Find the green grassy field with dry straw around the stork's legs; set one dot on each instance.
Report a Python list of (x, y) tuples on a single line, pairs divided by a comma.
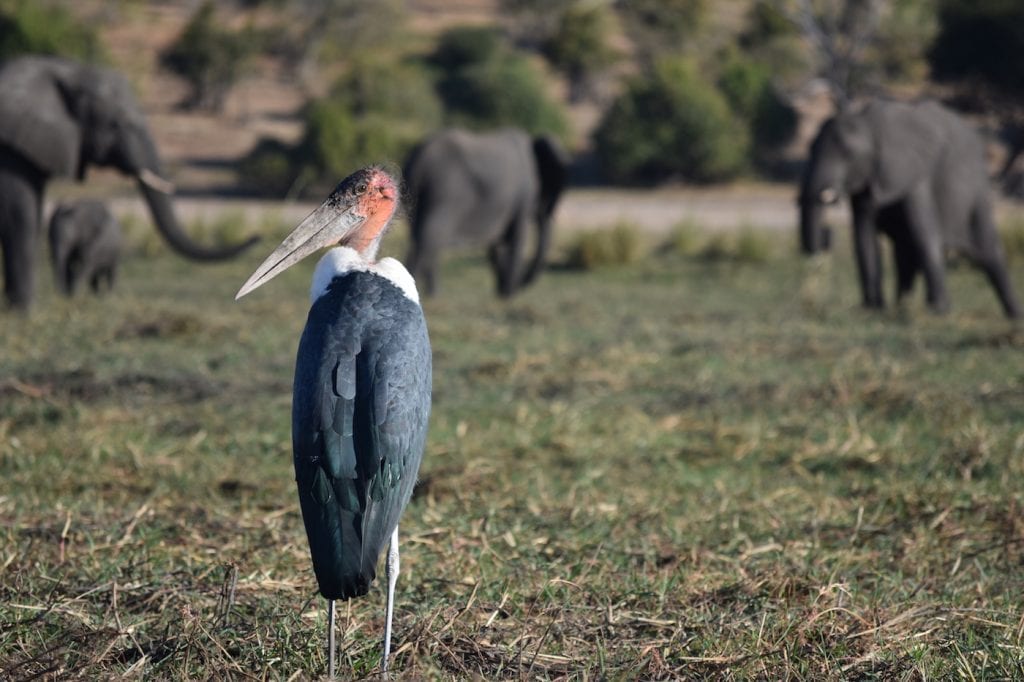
[(685, 468)]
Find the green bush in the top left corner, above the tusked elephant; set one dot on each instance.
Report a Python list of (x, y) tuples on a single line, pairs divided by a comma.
[(37, 27)]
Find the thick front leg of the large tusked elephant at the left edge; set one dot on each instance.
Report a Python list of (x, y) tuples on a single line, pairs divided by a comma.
[(20, 216)]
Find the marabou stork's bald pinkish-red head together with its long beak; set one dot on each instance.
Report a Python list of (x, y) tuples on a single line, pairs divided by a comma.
[(357, 215)]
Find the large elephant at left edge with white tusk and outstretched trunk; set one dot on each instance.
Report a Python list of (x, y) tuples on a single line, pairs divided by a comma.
[(58, 117)]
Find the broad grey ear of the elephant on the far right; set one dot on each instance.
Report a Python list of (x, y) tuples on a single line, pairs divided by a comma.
[(909, 141)]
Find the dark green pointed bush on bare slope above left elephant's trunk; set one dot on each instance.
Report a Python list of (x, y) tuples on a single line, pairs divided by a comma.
[(209, 57)]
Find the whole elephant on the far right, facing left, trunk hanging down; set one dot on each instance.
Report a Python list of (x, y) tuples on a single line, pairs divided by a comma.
[(917, 174)]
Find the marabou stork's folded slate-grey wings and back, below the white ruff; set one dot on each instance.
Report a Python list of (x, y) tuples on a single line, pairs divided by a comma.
[(359, 424)]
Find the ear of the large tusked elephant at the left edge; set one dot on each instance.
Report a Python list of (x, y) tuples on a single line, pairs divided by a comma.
[(35, 120)]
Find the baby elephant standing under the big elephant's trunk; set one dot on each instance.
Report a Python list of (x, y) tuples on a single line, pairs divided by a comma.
[(86, 244)]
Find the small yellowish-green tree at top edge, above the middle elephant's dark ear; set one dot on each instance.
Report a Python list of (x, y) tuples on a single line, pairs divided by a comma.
[(581, 47)]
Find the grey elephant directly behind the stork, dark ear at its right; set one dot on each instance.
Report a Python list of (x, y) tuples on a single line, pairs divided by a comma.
[(470, 189)]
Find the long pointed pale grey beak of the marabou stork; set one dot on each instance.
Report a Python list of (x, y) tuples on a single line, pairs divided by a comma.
[(328, 225)]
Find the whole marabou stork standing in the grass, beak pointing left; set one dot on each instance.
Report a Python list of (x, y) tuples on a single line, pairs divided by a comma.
[(362, 393)]
